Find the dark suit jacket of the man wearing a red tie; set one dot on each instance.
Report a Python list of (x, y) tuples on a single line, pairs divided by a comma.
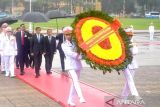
[(26, 45)]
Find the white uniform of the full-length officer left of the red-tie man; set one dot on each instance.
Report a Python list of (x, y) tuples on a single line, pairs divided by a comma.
[(9, 51)]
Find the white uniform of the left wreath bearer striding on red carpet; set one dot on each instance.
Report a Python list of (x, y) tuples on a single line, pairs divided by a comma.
[(73, 65)]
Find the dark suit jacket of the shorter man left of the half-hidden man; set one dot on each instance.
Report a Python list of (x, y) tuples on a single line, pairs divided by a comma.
[(49, 47)]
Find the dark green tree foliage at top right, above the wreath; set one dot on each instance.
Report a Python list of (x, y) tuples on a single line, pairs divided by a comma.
[(116, 6)]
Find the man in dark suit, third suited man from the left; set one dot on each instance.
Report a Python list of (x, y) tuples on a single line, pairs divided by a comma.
[(49, 50)]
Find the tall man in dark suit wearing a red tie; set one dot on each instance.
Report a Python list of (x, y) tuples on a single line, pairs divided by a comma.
[(22, 38)]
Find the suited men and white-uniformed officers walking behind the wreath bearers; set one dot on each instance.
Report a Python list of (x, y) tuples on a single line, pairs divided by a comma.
[(29, 49)]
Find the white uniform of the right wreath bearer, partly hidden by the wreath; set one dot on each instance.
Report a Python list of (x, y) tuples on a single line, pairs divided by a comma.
[(129, 75)]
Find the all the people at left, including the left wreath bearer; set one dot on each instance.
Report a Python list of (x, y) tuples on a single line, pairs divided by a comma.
[(27, 49)]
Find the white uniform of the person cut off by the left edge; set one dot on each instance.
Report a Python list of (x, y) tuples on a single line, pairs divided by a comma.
[(2, 36)]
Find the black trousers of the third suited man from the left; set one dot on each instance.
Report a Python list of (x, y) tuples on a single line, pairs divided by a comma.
[(48, 61)]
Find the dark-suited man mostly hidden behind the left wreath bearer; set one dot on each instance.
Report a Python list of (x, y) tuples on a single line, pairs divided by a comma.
[(60, 38)]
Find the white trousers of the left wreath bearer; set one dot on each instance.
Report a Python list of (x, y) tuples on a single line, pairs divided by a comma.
[(75, 86)]
